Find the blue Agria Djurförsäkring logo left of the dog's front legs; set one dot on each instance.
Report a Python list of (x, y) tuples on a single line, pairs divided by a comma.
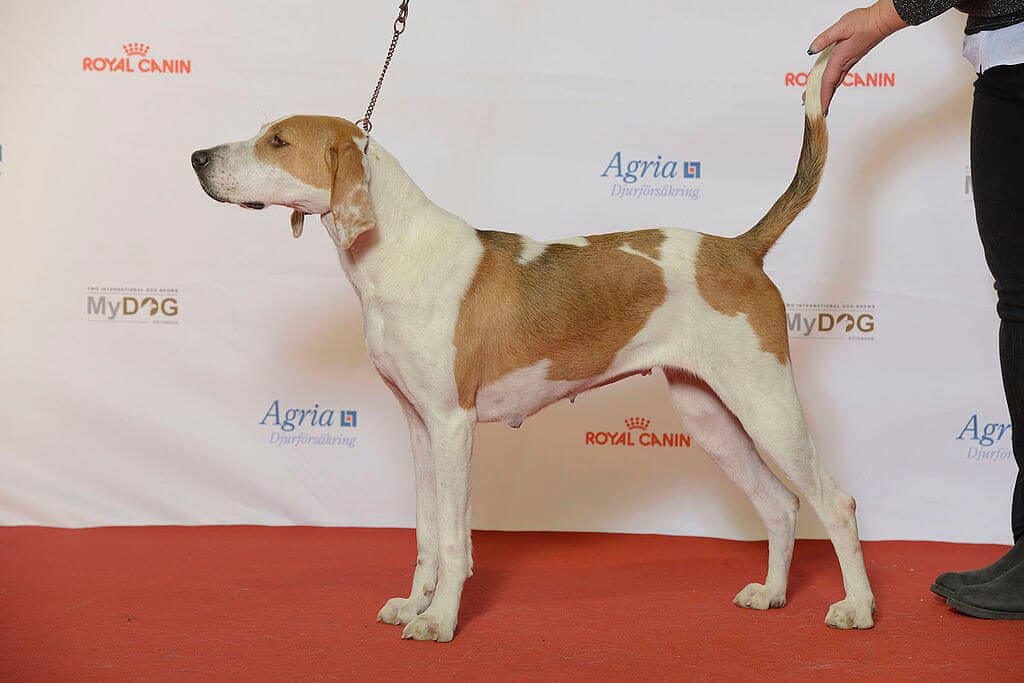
[(313, 425)]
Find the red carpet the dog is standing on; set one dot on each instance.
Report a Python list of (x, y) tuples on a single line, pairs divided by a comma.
[(286, 605)]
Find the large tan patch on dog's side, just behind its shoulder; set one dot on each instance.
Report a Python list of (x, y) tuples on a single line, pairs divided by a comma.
[(574, 306)]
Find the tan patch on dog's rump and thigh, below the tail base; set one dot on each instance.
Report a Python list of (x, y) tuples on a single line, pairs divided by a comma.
[(731, 279)]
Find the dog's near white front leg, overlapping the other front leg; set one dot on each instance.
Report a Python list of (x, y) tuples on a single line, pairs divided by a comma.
[(452, 447)]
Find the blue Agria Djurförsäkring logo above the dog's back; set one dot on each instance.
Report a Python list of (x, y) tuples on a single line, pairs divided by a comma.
[(653, 178)]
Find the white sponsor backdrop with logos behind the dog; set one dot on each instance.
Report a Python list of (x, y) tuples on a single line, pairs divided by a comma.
[(507, 114)]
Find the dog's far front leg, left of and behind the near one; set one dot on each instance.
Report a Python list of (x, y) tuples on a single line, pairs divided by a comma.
[(402, 611)]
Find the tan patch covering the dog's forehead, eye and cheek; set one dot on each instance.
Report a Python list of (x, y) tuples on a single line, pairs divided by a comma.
[(310, 140)]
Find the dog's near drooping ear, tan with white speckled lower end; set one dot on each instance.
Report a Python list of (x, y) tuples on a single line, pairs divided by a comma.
[(351, 205)]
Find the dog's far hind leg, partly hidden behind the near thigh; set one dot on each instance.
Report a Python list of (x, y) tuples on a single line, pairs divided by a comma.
[(720, 434)]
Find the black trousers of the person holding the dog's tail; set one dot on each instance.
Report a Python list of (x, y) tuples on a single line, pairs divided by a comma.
[(998, 176)]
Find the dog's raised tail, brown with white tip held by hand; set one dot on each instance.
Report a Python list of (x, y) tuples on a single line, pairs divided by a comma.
[(813, 161)]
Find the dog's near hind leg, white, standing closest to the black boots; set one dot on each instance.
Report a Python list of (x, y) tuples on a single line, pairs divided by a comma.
[(772, 414)]
